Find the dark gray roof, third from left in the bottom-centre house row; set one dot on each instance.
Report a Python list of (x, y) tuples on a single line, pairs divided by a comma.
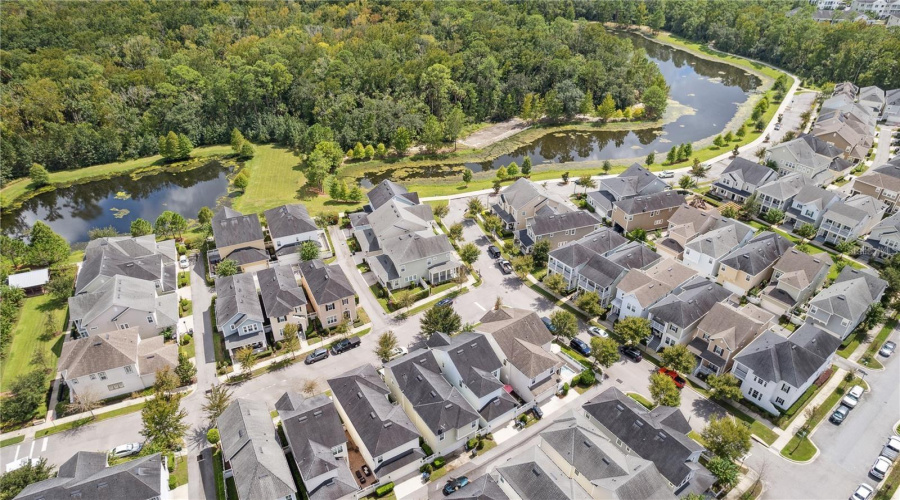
[(363, 396)]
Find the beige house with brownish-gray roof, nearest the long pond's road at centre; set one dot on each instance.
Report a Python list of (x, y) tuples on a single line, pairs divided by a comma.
[(523, 200)]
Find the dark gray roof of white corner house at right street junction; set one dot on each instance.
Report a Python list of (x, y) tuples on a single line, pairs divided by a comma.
[(794, 359)]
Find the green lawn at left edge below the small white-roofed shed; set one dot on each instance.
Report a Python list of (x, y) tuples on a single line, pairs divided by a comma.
[(28, 336)]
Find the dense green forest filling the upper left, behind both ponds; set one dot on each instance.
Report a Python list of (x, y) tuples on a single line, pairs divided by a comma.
[(93, 82)]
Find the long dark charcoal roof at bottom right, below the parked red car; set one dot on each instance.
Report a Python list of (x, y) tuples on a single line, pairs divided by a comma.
[(659, 436)]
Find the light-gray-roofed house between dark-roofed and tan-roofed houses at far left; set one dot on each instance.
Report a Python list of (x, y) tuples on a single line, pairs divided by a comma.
[(123, 302)]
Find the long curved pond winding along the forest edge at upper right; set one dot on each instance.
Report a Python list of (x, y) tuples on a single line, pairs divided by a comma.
[(712, 91)]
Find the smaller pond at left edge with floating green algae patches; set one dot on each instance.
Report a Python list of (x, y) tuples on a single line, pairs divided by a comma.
[(72, 211)]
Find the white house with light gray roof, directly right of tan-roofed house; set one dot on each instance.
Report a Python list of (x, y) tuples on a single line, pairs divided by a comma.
[(705, 251)]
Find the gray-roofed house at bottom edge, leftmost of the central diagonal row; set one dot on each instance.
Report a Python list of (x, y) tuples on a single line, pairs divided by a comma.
[(252, 454)]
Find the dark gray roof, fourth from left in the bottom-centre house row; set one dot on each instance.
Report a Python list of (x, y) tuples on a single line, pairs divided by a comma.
[(440, 405)]
